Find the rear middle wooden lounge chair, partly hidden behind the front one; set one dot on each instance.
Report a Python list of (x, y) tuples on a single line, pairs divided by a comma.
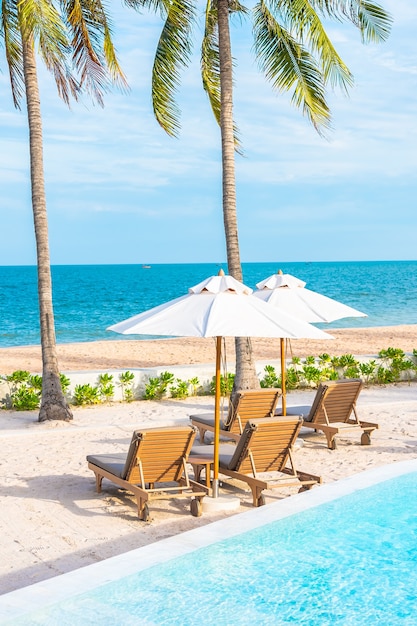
[(249, 404)]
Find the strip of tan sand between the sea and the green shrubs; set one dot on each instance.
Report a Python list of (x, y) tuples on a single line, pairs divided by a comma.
[(134, 354)]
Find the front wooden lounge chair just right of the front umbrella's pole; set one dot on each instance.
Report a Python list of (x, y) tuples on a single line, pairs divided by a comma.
[(265, 446)]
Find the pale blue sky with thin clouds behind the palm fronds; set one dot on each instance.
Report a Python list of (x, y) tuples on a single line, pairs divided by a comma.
[(119, 190)]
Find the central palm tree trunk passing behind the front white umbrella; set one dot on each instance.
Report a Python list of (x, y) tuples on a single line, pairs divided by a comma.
[(246, 377)]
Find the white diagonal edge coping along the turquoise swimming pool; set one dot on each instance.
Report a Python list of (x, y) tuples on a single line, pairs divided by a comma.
[(20, 602)]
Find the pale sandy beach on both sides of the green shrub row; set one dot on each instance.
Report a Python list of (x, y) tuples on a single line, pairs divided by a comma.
[(52, 520)]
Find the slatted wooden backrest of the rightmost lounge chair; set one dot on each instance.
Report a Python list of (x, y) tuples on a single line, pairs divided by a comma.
[(336, 399)]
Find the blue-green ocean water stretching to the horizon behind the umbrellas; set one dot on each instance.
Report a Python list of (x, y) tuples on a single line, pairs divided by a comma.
[(89, 298)]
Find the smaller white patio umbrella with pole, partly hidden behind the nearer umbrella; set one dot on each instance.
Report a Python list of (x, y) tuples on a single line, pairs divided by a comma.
[(289, 294)]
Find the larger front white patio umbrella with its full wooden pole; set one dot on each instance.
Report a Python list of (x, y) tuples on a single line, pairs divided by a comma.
[(219, 306)]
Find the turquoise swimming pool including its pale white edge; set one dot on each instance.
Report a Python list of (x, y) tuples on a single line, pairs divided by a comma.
[(344, 553)]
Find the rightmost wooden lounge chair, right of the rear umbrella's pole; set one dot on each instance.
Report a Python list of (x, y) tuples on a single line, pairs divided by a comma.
[(332, 409)]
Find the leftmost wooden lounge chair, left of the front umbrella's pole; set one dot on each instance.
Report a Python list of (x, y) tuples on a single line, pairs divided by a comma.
[(156, 456)]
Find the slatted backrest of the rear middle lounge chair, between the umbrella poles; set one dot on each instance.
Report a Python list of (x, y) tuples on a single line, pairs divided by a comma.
[(251, 404)]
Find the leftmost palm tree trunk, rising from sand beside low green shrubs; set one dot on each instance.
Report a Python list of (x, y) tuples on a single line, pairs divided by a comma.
[(53, 403)]
